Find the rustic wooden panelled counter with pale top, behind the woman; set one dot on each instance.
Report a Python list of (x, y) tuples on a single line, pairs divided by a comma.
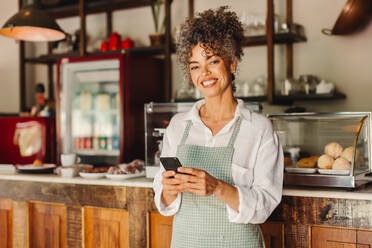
[(79, 212)]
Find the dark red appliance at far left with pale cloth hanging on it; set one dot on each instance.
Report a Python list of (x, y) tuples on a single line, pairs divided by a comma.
[(25, 139)]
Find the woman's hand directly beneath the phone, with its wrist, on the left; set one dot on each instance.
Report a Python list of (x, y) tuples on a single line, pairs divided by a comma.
[(171, 187)]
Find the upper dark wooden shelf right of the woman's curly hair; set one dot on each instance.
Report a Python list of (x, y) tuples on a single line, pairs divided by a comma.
[(280, 38)]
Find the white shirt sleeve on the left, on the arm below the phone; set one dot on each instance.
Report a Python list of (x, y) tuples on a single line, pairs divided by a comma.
[(168, 150)]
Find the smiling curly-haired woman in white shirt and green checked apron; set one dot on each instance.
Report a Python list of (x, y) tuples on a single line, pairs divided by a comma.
[(232, 162)]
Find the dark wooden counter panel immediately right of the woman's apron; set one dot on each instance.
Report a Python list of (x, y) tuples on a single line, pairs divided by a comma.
[(273, 234)]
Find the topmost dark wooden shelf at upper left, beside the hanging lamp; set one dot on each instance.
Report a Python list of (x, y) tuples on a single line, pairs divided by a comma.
[(94, 6)]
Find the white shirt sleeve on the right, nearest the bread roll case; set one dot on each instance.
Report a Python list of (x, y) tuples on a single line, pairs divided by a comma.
[(258, 201)]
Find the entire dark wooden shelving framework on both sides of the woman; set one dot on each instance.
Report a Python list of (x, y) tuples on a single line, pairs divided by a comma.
[(85, 7)]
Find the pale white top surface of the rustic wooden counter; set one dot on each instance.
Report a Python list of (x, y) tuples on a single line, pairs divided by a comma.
[(362, 193)]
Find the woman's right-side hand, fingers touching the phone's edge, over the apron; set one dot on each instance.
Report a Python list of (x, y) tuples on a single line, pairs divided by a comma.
[(197, 181)]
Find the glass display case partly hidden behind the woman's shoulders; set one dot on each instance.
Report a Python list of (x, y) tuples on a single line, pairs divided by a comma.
[(157, 117)]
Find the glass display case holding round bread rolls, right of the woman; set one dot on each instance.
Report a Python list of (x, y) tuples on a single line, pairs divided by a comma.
[(325, 149)]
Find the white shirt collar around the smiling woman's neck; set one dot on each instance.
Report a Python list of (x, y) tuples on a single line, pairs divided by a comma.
[(240, 111)]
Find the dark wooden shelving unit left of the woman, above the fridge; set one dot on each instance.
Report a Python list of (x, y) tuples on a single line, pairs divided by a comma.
[(81, 9)]
